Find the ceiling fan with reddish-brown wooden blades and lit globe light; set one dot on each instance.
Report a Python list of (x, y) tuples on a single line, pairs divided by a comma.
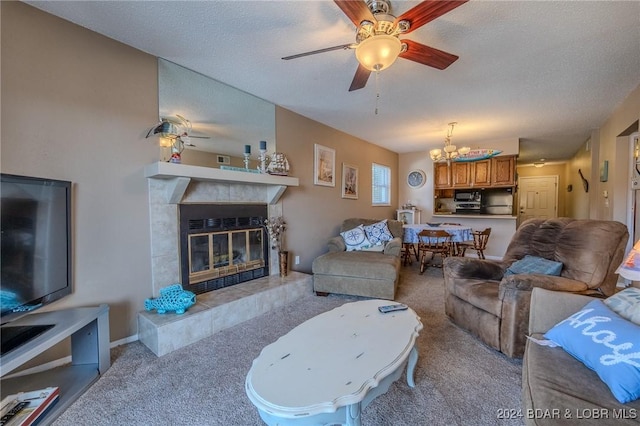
[(377, 36)]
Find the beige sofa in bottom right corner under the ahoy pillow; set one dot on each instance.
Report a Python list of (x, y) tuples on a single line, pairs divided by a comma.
[(556, 385)]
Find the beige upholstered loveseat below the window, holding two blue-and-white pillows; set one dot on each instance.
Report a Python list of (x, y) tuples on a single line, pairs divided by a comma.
[(359, 273)]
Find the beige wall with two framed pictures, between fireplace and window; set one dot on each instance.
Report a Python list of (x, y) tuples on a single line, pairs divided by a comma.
[(314, 213)]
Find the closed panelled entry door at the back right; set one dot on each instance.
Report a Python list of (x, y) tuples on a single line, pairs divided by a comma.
[(537, 197)]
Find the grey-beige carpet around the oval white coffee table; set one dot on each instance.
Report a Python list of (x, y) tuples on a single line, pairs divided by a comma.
[(459, 381)]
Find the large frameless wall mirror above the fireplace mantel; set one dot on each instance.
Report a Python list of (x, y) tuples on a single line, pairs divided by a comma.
[(229, 117)]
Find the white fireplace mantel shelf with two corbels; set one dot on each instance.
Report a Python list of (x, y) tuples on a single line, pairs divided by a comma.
[(181, 174)]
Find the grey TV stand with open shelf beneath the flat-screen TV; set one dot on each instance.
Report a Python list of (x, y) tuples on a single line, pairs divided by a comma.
[(88, 329)]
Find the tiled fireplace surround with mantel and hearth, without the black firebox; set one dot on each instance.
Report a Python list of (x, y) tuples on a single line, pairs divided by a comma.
[(171, 184)]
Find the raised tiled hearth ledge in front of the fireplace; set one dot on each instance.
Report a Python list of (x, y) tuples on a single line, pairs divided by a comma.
[(218, 310)]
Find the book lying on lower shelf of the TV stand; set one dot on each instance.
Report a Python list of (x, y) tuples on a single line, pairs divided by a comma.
[(27, 408)]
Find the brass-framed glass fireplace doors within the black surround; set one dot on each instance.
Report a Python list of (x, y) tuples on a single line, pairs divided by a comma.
[(218, 254)]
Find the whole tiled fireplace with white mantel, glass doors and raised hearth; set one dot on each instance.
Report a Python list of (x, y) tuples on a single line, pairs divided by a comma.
[(225, 239)]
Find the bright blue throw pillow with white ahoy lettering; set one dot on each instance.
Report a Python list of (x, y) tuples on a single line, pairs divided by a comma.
[(606, 343)]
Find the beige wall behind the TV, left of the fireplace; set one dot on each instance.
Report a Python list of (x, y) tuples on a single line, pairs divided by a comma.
[(75, 106)]
